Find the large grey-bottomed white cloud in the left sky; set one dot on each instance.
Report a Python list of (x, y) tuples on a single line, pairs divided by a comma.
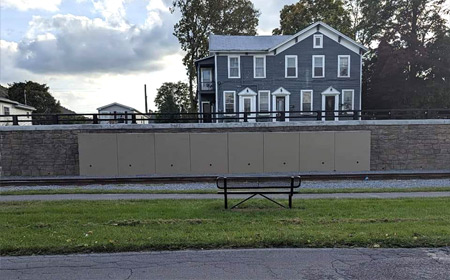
[(73, 44)]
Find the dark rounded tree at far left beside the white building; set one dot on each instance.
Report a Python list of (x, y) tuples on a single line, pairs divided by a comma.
[(37, 95)]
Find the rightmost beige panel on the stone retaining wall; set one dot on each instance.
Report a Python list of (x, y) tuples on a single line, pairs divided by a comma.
[(352, 151)]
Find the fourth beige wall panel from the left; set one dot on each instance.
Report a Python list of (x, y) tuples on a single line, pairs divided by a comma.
[(209, 153)]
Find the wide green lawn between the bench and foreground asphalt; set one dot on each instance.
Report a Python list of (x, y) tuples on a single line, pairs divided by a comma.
[(111, 226)]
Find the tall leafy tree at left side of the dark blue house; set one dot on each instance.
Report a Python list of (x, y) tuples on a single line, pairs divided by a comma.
[(200, 18)]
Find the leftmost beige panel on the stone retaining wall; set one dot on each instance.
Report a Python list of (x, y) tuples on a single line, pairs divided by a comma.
[(98, 154)]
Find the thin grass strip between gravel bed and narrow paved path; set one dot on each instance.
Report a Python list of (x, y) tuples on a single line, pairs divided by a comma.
[(305, 191)]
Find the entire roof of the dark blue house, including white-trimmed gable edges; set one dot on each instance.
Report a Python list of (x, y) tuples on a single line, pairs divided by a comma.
[(267, 43)]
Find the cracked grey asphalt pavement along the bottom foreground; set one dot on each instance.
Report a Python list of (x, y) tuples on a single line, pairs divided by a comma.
[(237, 264)]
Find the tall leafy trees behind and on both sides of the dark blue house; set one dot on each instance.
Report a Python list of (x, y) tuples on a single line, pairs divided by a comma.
[(407, 66)]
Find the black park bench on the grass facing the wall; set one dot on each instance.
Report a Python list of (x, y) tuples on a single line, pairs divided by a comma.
[(262, 186)]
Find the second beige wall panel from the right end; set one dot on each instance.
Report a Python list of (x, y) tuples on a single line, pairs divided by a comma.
[(317, 151)]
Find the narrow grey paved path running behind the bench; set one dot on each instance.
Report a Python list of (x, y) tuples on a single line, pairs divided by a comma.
[(52, 197)]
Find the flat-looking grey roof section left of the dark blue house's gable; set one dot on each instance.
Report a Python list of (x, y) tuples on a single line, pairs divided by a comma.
[(244, 43)]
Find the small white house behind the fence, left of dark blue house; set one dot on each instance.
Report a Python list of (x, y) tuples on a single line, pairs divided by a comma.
[(119, 113)]
